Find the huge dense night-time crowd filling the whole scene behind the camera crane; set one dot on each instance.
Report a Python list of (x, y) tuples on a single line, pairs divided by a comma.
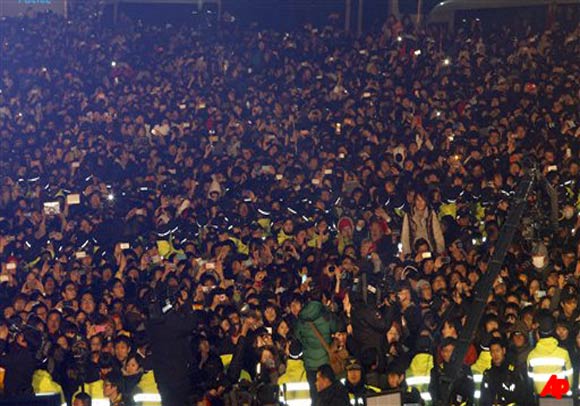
[(181, 210)]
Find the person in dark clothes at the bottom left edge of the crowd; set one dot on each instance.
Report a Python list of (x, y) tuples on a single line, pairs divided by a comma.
[(18, 359)]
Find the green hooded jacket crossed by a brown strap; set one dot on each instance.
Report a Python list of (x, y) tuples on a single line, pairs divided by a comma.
[(314, 353)]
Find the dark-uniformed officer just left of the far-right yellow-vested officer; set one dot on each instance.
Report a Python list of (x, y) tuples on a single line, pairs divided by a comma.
[(502, 384)]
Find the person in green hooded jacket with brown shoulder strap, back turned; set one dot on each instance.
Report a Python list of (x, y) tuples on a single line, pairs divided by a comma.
[(315, 323)]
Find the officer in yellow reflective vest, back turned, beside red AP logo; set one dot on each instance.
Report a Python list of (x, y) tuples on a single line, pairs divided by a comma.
[(547, 358)]
